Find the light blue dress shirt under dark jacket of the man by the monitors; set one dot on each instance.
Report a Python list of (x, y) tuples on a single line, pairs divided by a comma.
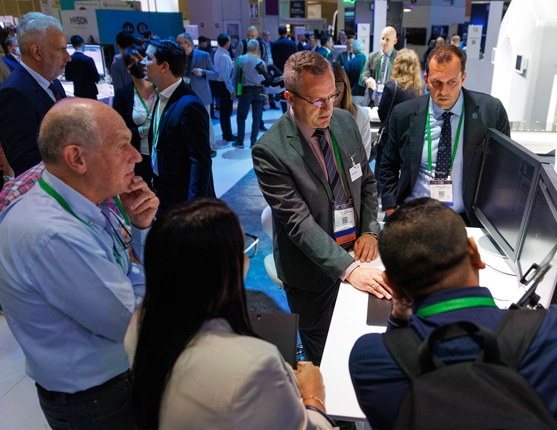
[(421, 188)]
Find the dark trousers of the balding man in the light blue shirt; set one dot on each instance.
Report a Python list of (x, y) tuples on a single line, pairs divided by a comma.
[(107, 406)]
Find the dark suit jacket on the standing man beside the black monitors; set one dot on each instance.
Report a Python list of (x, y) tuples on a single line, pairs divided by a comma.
[(403, 152)]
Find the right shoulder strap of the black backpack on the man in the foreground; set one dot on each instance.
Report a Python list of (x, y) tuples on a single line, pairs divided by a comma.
[(516, 332)]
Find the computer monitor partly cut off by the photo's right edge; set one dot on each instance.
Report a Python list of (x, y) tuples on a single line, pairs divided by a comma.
[(540, 233)]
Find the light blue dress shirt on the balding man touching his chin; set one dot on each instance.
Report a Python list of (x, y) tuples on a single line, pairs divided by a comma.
[(66, 298)]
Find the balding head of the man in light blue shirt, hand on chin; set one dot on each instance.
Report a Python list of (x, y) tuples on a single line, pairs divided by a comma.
[(87, 145)]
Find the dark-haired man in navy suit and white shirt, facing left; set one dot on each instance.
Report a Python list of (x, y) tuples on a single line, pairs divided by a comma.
[(179, 133)]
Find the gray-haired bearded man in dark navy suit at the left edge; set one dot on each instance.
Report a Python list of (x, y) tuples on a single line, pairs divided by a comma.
[(32, 88)]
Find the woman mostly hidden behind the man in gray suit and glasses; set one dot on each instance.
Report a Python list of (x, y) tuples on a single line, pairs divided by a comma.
[(362, 115)]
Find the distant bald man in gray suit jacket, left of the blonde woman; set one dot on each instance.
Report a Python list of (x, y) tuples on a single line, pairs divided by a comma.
[(379, 66)]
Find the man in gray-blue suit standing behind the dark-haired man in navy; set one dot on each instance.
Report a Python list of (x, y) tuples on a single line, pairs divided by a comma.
[(199, 70)]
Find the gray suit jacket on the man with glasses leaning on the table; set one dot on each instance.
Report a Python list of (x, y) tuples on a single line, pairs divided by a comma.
[(296, 189)]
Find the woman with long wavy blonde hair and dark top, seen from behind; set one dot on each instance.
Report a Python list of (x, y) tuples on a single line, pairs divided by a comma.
[(407, 79)]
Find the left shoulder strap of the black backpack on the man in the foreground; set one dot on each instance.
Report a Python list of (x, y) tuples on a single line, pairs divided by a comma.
[(403, 344)]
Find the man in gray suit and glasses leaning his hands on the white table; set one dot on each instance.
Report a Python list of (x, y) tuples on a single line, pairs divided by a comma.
[(310, 254)]
